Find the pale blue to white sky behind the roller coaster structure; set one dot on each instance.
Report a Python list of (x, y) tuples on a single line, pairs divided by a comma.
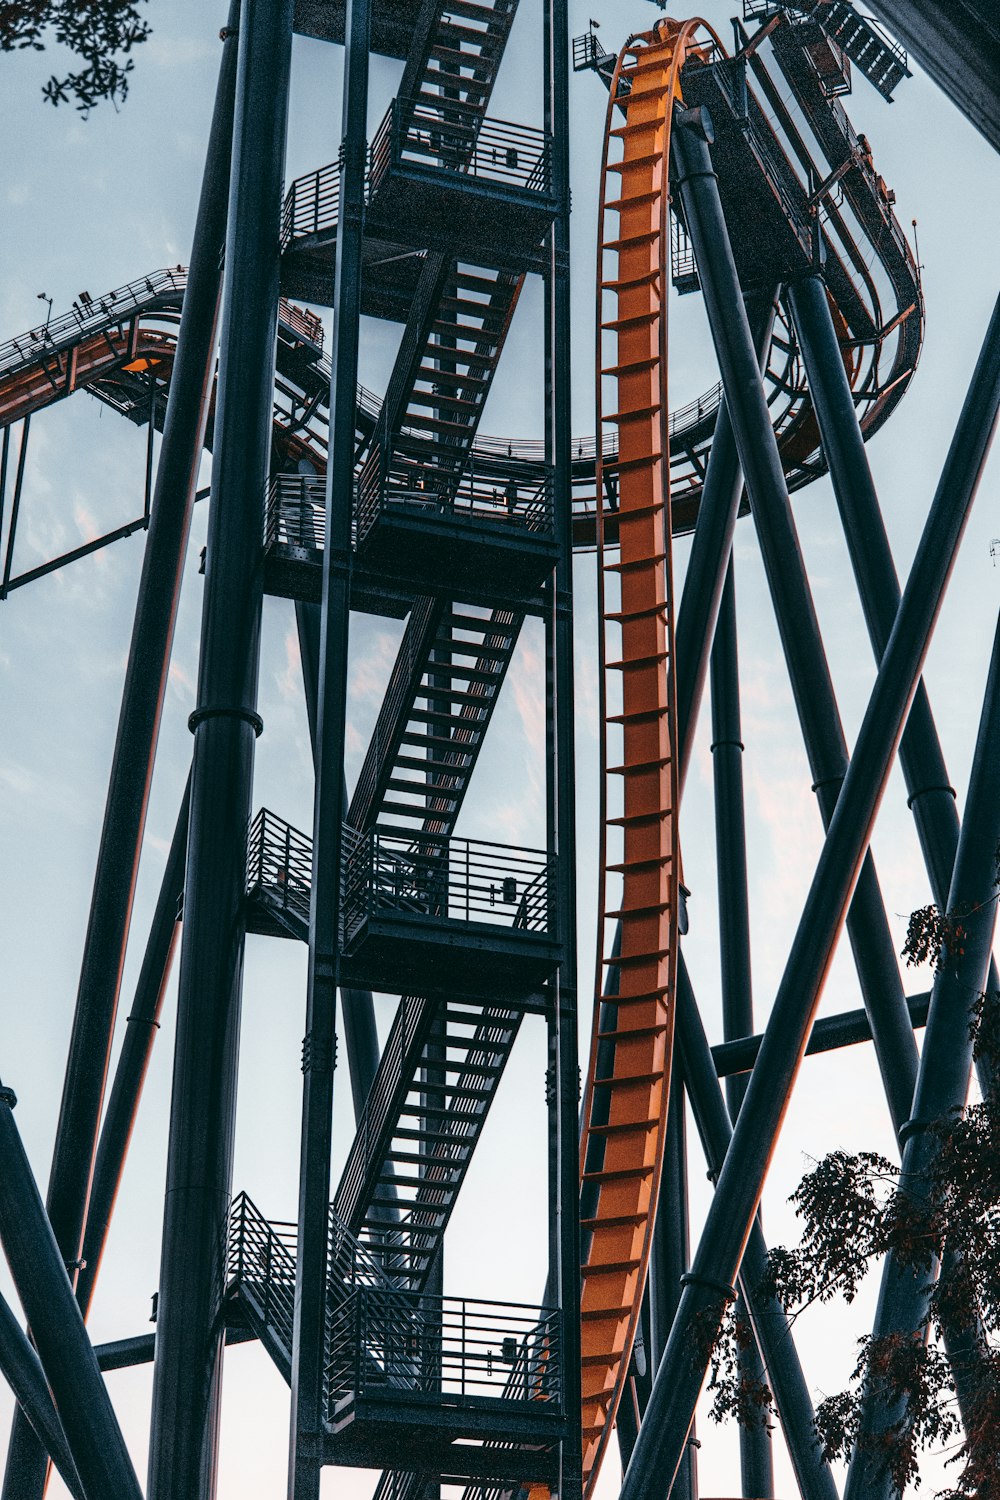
[(95, 203)]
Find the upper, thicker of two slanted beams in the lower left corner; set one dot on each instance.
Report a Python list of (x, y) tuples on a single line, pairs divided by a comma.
[(47, 1297)]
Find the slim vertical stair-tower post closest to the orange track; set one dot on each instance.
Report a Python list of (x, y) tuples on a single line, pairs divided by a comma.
[(563, 776)]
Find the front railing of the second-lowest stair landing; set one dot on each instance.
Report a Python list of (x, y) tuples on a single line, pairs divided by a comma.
[(463, 880)]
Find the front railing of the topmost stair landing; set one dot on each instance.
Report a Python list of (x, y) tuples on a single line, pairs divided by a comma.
[(454, 137)]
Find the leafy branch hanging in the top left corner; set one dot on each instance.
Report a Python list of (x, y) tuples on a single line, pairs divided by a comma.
[(100, 32)]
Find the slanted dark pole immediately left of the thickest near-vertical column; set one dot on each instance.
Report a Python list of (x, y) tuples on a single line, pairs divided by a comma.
[(139, 727)]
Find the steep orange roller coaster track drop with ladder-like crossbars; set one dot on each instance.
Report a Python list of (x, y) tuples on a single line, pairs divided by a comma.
[(626, 1114)]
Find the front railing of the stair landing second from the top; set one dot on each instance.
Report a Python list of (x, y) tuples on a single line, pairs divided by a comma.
[(524, 503)]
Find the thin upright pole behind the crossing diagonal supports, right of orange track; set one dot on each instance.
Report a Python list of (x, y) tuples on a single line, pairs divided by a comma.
[(738, 1013)]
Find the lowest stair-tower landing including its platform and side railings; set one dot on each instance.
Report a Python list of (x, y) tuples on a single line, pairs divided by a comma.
[(448, 1385)]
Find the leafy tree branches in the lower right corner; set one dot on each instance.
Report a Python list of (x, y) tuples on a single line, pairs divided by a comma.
[(944, 1228)]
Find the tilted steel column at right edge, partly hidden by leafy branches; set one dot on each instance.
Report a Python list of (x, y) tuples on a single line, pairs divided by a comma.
[(942, 1084)]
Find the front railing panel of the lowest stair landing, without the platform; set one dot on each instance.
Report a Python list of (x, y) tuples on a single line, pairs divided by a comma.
[(394, 1342)]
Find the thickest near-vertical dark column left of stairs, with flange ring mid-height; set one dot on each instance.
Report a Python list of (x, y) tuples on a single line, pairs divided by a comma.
[(188, 1370)]
